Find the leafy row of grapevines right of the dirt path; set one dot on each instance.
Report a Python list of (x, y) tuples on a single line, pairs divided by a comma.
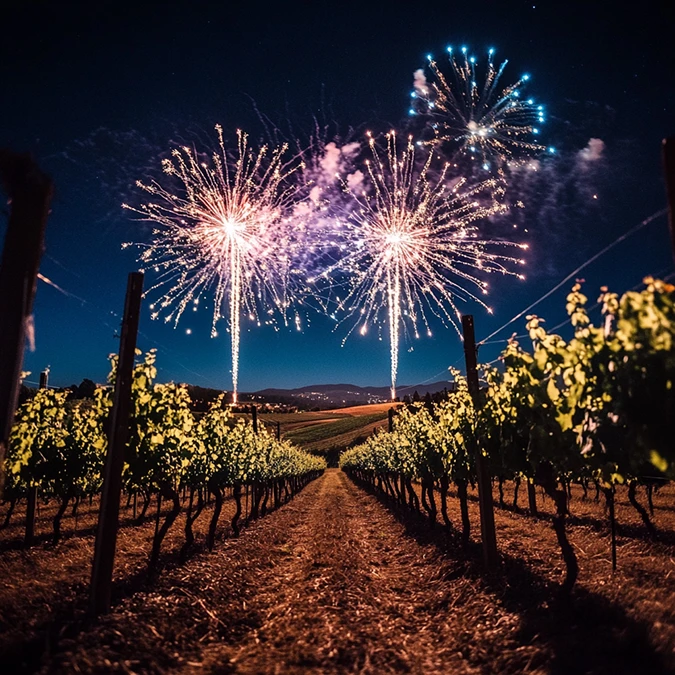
[(598, 408)]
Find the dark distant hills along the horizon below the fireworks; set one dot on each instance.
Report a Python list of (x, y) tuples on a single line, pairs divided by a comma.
[(339, 395)]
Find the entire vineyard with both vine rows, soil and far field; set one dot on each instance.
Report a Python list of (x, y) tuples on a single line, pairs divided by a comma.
[(577, 436)]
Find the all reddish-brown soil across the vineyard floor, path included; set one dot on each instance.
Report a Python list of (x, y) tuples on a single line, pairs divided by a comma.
[(339, 581)]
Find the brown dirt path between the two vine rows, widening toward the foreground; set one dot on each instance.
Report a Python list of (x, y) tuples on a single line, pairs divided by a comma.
[(333, 582)]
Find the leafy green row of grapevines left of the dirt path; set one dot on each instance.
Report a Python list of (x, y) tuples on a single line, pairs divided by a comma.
[(57, 450)]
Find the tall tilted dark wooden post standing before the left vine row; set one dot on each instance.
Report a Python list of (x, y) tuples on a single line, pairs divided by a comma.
[(118, 433)]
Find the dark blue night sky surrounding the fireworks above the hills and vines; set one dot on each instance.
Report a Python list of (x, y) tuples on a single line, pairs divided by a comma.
[(98, 92)]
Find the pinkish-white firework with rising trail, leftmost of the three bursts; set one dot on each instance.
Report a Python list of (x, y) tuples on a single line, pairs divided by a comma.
[(226, 232)]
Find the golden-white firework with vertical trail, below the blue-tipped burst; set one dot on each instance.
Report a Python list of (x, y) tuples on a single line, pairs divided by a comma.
[(409, 246)]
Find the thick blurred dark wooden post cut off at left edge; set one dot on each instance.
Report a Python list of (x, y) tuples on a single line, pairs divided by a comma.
[(30, 192)]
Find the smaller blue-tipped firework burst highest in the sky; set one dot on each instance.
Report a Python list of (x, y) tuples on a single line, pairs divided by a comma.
[(486, 123)]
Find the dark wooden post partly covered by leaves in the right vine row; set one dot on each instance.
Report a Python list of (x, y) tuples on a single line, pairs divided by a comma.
[(487, 516)]
